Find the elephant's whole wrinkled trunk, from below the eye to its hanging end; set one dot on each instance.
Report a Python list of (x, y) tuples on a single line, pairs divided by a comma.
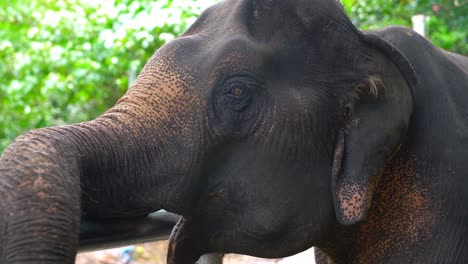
[(118, 165)]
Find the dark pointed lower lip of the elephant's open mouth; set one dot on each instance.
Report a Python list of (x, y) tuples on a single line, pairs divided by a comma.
[(185, 245)]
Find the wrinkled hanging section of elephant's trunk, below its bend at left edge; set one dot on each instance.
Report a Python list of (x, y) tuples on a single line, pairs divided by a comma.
[(39, 199)]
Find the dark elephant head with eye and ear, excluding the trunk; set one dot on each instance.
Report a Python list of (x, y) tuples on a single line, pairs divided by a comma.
[(306, 110)]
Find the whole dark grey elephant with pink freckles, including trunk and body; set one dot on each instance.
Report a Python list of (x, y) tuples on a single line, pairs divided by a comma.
[(270, 126)]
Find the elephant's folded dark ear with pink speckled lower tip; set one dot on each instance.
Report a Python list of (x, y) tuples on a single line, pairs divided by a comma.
[(376, 121)]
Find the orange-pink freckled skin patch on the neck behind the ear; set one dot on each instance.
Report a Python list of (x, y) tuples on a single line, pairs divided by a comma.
[(402, 212)]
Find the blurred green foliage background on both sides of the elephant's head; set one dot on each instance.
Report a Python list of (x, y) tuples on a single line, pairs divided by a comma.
[(65, 61)]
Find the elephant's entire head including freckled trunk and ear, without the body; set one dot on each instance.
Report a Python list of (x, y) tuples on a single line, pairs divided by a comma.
[(262, 125)]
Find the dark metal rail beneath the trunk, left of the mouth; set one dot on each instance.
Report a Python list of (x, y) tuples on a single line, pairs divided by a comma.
[(104, 234)]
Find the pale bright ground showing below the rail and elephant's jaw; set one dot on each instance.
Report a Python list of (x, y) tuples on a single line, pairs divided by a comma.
[(155, 253)]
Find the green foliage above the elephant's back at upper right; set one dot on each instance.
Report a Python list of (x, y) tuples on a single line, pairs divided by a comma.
[(447, 19)]
